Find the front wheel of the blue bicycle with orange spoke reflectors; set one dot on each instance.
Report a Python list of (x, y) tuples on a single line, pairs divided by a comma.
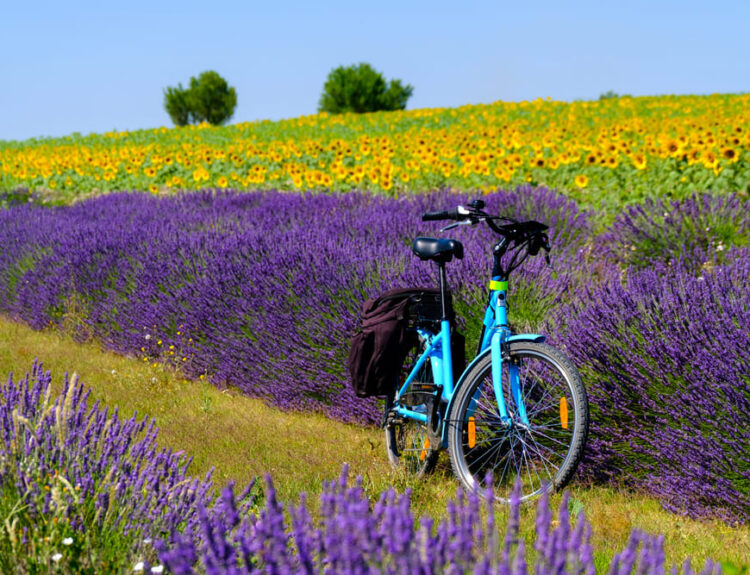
[(542, 451)]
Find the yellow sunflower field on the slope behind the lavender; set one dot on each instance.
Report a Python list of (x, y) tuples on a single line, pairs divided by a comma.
[(617, 150)]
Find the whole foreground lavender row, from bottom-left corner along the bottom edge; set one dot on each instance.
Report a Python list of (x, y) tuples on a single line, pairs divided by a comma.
[(86, 492)]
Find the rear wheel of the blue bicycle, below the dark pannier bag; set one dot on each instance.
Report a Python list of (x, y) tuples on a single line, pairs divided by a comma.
[(407, 441)]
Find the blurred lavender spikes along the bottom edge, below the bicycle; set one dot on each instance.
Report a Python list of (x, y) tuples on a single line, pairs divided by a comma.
[(353, 537)]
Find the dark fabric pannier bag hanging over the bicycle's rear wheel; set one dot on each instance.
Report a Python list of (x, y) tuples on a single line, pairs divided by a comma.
[(388, 333)]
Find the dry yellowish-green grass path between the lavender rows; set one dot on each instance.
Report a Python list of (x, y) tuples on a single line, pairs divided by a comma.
[(241, 438)]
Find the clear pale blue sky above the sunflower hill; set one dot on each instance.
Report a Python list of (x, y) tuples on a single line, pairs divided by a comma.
[(96, 66)]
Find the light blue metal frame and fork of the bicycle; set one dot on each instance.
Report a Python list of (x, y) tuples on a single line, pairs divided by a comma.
[(495, 335)]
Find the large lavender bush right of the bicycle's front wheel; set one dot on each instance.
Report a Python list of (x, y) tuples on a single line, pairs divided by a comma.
[(665, 358)]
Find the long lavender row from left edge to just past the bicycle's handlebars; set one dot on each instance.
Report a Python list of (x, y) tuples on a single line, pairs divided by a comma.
[(260, 291)]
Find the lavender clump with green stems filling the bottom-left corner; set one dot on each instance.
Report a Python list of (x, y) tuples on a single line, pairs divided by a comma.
[(83, 489)]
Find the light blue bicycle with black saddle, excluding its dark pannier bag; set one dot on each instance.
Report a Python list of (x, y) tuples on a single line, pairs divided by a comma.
[(518, 410)]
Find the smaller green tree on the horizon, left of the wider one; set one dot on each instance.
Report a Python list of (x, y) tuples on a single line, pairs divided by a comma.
[(208, 99)]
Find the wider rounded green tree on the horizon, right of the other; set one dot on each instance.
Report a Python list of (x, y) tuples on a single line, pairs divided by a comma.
[(359, 88)]
